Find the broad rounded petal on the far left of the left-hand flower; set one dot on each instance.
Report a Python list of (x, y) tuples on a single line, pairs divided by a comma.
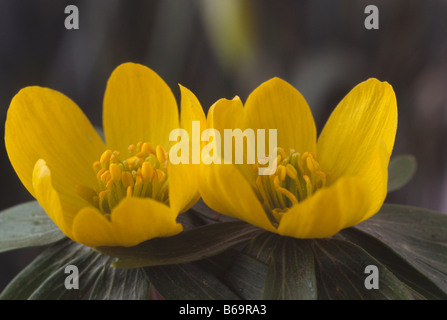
[(45, 124)]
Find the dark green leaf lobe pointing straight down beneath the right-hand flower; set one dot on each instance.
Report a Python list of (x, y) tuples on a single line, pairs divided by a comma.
[(291, 273)]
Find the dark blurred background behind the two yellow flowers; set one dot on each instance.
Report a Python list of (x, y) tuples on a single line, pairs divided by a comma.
[(223, 48)]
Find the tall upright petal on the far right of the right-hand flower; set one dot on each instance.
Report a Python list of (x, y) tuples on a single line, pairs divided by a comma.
[(365, 116)]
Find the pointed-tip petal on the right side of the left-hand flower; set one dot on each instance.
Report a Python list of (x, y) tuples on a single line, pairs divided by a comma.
[(183, 178)]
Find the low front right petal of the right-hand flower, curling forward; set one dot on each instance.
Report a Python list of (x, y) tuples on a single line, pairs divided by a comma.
[(328, 211)]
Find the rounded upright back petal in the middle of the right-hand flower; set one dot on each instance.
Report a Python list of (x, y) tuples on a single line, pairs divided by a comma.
[(276, 104)]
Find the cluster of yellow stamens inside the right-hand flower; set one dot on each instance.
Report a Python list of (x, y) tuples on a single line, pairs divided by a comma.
[(296, 178)]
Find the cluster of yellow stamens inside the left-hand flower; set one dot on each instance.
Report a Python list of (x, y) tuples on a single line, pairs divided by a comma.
[(144, 174)]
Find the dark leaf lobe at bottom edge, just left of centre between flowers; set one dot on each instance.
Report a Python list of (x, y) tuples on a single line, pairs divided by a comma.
[(188, 282)]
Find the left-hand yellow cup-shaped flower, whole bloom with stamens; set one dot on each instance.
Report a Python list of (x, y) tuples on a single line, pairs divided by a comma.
[(117, 193)]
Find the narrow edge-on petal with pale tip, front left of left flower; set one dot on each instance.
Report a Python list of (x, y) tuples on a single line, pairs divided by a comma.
[(61, 213)]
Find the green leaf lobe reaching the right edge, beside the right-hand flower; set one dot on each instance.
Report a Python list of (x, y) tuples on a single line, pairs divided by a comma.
[(417, 235)]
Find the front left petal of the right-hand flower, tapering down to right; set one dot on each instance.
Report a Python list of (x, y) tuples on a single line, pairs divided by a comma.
[(224, 189)]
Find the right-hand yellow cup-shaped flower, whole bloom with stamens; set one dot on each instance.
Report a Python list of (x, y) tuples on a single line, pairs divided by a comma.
[(319, 187)]
